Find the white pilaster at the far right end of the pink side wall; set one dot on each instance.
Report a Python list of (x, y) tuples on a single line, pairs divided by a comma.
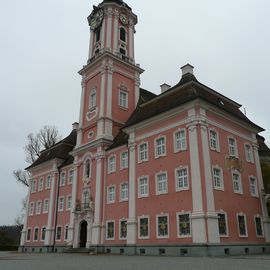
[(266, 220)]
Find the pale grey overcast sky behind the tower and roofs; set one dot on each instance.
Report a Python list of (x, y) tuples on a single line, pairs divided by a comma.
[(44, 43)]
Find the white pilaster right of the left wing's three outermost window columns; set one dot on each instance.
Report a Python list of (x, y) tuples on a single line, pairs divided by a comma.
[(52, 205)]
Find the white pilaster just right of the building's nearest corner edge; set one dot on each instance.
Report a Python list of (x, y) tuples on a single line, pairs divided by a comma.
[(211, 215)]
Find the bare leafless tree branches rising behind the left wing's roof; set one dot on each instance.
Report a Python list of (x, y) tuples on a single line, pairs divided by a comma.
[(44, 139)]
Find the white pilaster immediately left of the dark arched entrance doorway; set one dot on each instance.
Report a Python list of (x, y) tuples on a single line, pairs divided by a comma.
[(73, 204)]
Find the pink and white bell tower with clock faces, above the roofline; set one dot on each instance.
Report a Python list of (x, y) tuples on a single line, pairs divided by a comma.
[(110, 79)]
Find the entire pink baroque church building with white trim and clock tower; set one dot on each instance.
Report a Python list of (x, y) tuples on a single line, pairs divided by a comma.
[(176, 173)]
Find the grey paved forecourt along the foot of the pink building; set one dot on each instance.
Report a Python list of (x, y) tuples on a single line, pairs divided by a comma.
[(14, 261)]
